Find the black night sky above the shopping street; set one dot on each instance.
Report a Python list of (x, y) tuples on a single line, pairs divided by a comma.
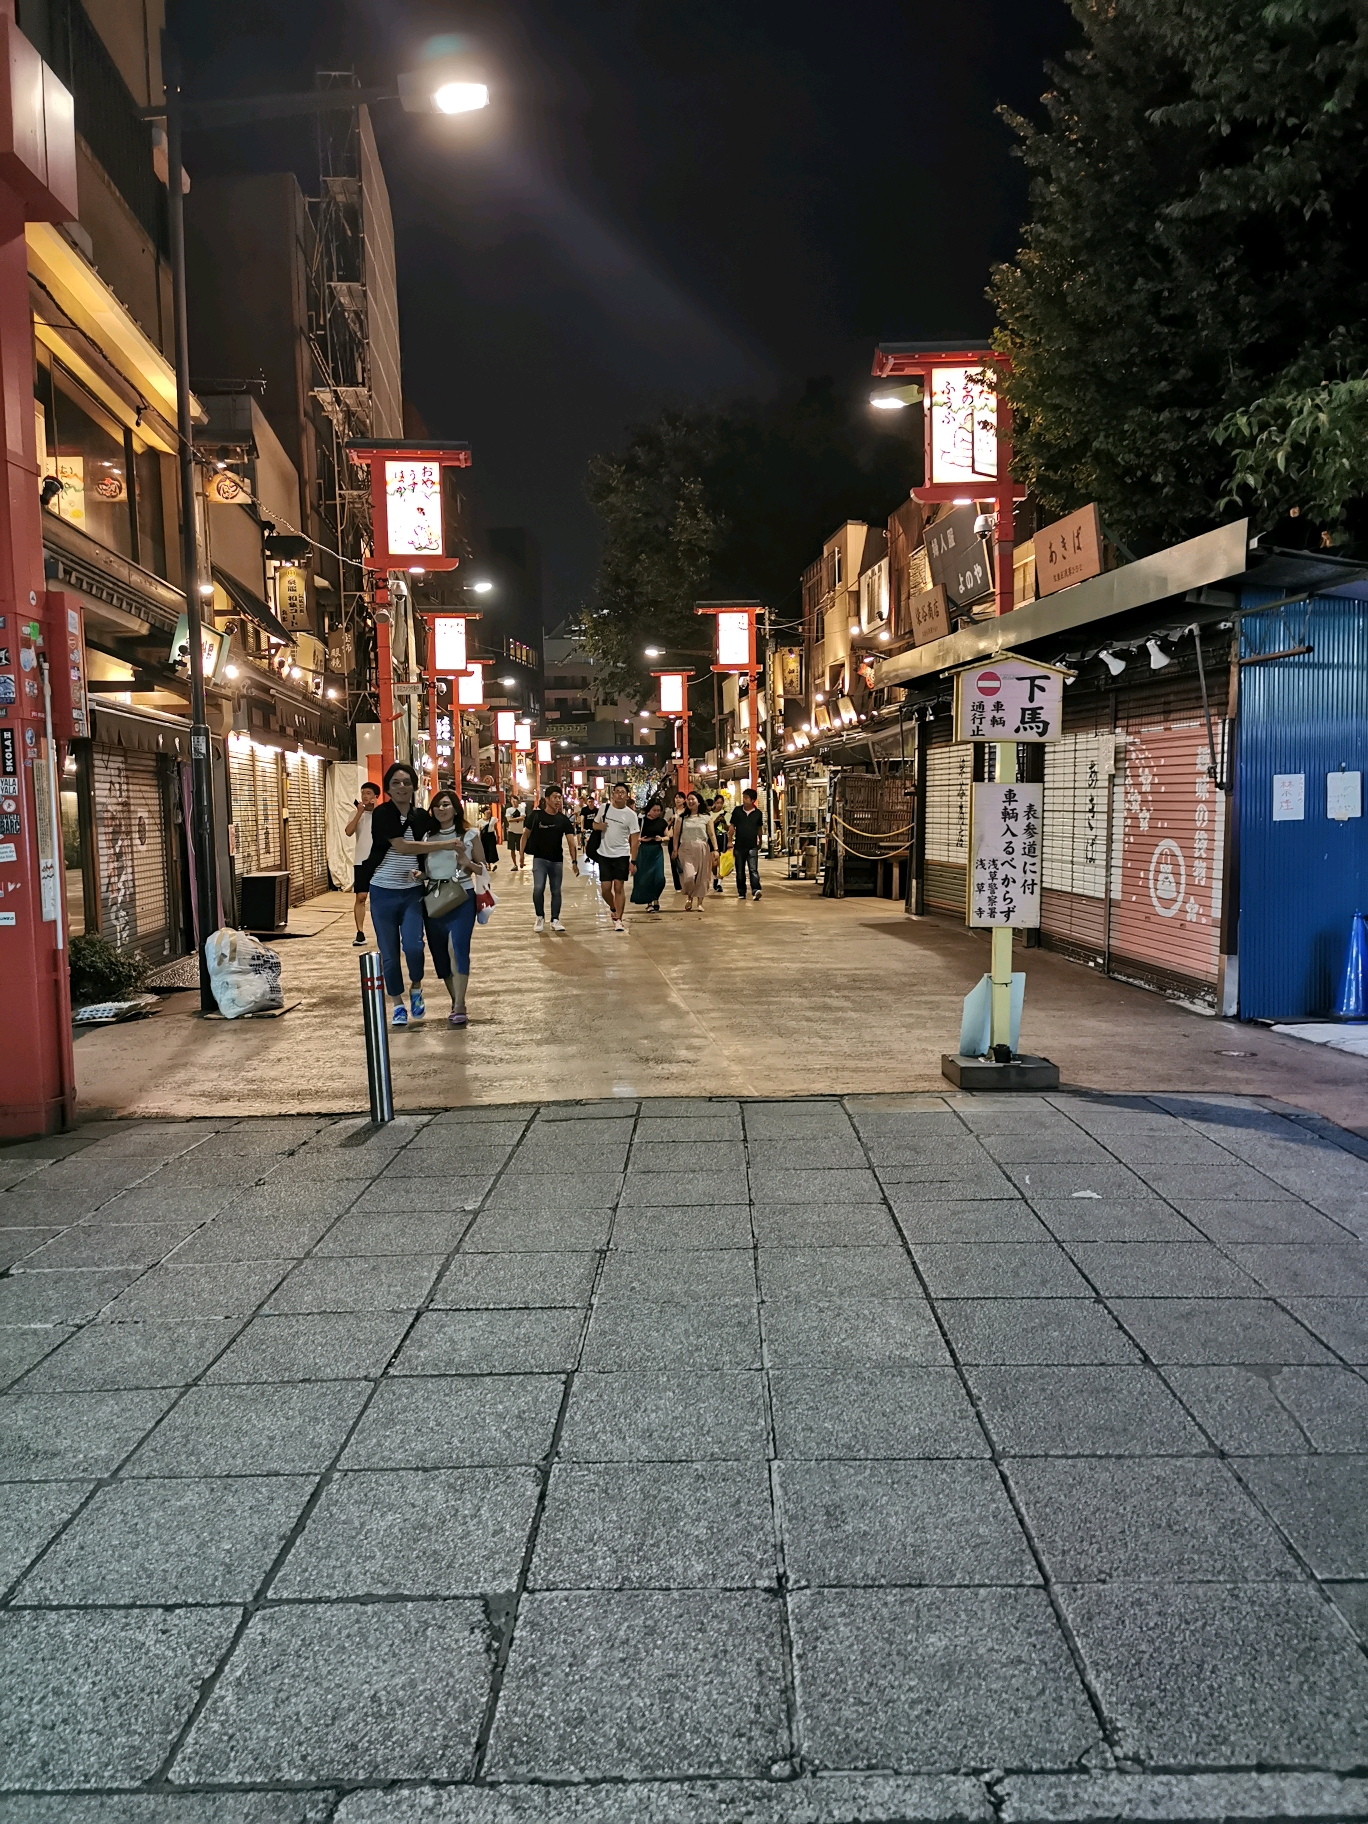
[(672, 202)]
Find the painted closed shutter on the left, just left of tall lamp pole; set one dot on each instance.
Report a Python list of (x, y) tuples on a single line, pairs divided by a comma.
[(134, 851)]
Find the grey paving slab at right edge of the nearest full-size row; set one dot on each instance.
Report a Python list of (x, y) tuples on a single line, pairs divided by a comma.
[(1281, 1681)]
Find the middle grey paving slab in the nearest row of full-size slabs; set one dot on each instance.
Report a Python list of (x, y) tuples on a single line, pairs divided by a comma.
[(634, 1684)]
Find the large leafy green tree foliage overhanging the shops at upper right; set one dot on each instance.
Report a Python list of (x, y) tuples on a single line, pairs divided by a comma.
[(1196, 260)]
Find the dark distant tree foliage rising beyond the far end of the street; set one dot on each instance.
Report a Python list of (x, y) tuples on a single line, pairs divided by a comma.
[(732, 503)]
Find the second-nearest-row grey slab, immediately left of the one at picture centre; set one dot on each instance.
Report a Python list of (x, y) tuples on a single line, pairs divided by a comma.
[(413, 1533)]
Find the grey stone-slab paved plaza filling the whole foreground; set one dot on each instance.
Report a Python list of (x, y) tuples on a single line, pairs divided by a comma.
[(689, 1462)]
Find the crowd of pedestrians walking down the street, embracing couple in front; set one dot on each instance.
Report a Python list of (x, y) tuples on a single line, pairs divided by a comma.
[(426, 875)]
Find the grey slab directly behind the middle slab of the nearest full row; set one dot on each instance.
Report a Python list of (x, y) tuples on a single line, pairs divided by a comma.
[(658, 1526)]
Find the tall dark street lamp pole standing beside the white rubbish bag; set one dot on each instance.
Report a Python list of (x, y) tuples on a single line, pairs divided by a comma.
[(202, 762)]
